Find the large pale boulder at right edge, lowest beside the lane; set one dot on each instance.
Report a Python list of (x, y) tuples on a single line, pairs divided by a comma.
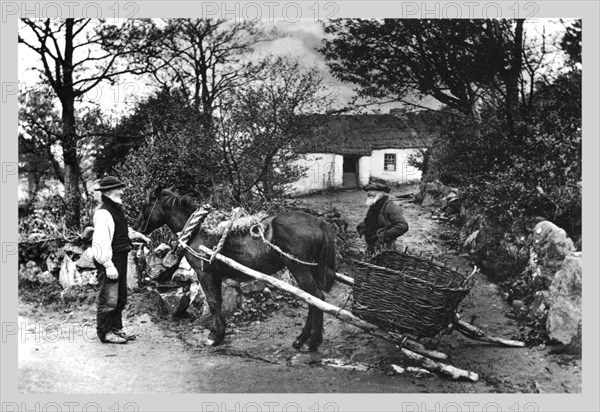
[(564, 316)]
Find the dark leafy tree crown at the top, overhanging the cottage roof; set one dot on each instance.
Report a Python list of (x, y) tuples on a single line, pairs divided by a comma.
[(454, 61)]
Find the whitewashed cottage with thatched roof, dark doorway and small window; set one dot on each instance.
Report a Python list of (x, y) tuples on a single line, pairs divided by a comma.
[(346, 151)]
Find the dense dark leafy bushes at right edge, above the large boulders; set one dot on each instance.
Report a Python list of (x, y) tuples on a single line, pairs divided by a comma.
[(535, 173)]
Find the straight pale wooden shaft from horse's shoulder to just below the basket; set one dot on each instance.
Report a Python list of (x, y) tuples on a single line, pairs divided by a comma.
[(333, 310)]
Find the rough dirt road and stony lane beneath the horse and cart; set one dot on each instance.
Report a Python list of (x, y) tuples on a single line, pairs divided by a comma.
[(58, 352)]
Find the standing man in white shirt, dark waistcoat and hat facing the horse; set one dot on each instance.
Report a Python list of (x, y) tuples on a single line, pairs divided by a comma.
[(111, 243)]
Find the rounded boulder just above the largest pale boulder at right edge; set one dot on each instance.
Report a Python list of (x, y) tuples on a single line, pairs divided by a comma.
[(550, 246)]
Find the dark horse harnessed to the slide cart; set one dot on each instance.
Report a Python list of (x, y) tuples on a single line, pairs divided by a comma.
[(304, 237)]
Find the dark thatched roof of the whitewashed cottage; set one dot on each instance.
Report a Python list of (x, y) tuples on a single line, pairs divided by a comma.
[(361, 134)]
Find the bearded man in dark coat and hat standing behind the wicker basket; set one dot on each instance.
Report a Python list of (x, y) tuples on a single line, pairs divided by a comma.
[(384, 222)]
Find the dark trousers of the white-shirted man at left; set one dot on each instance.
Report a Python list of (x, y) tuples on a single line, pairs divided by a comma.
[(113, 296)]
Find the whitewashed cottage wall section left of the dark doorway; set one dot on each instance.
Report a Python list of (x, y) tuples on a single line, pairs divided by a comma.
[(324, 170)]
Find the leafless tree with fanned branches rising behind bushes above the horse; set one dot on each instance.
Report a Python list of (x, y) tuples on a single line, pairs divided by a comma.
[(205, 59)]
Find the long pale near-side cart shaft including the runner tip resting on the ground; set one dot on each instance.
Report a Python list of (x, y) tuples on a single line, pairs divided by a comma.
[(345, 316)]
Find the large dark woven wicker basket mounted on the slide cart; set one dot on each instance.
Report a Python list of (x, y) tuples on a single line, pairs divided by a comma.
[(408, 294)]
